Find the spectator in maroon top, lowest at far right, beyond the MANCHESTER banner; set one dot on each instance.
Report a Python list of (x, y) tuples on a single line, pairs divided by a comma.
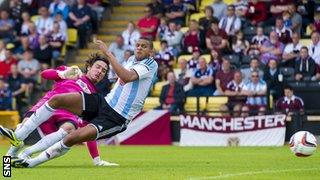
[(290, 103)]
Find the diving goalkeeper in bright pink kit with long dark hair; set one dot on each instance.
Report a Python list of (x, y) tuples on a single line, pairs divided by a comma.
[(67, 80)]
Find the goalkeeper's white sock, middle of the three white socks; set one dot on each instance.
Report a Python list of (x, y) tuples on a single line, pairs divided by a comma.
[(44, 143)]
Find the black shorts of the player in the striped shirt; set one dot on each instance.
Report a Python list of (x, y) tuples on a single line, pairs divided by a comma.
[(101, 116)]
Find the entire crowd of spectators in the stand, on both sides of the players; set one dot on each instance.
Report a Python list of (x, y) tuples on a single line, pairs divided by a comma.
[(242, 50)]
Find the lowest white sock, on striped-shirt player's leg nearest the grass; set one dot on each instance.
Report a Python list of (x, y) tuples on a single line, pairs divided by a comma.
[(57, 150)]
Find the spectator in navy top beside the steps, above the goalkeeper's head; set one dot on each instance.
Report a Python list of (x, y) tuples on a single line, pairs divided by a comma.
[(79, 17)]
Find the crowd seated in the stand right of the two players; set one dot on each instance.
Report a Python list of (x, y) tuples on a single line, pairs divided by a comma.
[(254, 49)]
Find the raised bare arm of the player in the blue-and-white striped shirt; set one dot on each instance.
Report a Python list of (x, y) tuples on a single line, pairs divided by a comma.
[(124, 74)]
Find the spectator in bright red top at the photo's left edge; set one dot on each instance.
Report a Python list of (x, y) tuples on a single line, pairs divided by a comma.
[(7, 63)]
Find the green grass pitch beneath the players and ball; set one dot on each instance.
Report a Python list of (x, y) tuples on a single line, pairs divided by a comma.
[(171, 162)]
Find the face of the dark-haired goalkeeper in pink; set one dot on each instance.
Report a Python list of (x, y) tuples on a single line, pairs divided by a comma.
[(97, 71)]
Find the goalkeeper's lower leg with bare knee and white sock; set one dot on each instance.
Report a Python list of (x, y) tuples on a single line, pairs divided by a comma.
[(47, 141)]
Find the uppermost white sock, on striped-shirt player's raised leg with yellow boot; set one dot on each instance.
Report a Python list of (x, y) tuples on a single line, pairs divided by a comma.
[(38, 117)]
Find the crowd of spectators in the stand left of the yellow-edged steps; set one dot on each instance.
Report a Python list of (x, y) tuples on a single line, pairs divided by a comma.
[(32, 36)]
